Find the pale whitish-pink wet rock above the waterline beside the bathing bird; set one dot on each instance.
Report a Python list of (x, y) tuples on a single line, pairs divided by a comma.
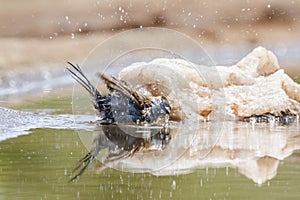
[(254, 86)]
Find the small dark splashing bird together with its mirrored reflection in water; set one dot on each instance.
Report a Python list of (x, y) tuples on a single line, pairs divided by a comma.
[(120, 107)]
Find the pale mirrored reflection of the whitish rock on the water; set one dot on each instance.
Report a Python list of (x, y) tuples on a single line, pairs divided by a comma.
[(254, 149)]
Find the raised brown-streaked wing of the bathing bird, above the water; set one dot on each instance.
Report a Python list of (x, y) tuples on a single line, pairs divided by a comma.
[(114, 84)]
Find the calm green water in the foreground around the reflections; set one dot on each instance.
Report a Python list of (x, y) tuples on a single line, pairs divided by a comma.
[(38, 166)]
